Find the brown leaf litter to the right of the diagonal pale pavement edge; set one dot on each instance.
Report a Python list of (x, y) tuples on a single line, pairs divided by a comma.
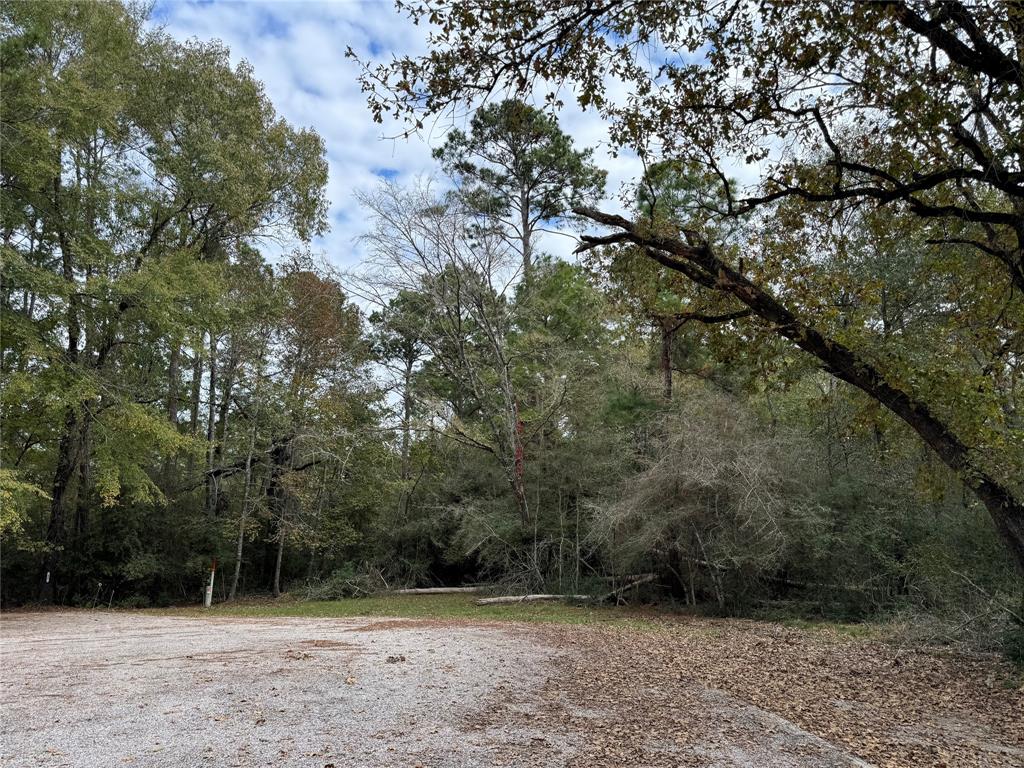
[(888, 706)]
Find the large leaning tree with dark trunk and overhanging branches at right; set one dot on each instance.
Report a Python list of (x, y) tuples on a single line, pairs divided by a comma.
[(911, 107)]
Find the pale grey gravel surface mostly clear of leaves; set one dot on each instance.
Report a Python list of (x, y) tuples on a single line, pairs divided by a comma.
[(109, 690)]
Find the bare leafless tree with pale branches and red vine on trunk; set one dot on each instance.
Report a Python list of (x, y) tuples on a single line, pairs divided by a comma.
[(428, 246)]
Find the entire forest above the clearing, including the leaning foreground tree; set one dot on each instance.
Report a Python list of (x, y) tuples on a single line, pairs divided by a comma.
[(799, 400)]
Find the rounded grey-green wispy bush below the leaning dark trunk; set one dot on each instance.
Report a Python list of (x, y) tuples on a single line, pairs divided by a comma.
[(711, 507)]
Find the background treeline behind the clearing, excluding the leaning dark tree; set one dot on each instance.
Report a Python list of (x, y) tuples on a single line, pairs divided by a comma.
[(462, 408)]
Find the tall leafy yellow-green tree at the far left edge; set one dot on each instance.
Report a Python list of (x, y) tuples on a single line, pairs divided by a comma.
[(135, 165)]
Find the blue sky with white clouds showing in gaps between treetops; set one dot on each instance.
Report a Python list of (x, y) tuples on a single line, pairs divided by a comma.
[(297, 51)]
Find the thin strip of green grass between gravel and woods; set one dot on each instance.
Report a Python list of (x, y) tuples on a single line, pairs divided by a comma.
[(431, 607)]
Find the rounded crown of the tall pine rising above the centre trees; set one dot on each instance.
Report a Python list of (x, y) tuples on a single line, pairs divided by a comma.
[(518, 168)]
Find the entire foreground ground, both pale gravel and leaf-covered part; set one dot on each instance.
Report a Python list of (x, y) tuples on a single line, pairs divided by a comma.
[(110, 690)]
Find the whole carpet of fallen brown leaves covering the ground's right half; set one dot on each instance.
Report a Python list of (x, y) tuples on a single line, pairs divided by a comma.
[(708, 693)]
